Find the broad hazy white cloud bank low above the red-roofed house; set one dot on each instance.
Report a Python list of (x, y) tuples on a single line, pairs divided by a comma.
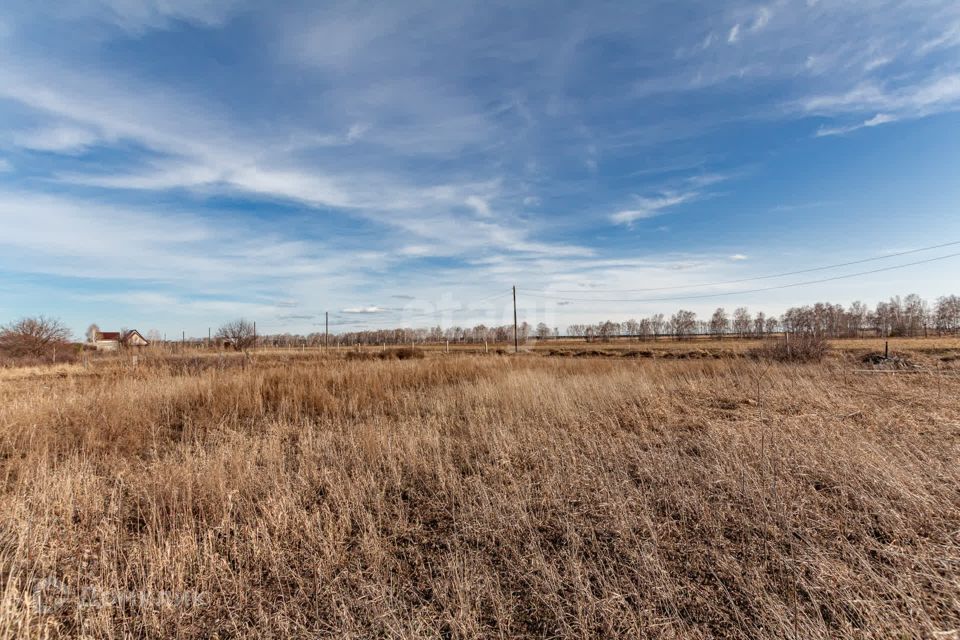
[(93, 239)]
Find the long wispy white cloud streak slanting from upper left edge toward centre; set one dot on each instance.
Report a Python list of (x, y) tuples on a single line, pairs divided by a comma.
[(197, 148)]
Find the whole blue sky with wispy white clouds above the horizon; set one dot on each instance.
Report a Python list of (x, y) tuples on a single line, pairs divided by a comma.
[(175, 164)]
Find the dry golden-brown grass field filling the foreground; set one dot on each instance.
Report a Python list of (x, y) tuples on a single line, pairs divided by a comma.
[(299, 494)]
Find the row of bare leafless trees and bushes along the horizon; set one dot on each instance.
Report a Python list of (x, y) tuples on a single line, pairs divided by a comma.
[(908, 316)]
